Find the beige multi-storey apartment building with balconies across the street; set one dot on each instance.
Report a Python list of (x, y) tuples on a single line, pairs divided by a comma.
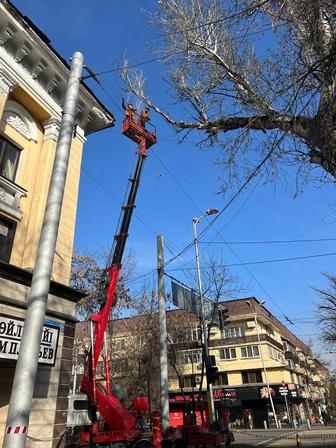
[(245, 353)]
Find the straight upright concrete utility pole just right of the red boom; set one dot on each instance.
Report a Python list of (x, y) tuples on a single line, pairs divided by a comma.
[(163, 337)]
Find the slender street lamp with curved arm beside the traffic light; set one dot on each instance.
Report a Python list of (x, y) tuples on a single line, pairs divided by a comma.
[(210, 401)]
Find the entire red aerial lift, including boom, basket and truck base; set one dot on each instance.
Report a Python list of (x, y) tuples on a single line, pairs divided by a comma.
[(113, 425)]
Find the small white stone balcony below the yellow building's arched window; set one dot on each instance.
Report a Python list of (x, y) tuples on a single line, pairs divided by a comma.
[(10, 197)]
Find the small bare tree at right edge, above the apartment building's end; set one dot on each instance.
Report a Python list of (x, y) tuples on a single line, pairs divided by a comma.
[(327, 311)]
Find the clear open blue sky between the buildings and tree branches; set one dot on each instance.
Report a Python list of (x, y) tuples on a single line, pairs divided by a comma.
[(181, 181)]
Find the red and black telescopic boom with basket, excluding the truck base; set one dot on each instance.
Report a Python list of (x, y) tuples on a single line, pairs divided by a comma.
[(117, 418)]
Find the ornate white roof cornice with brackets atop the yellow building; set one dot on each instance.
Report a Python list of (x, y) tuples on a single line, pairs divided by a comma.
[(28, 58)]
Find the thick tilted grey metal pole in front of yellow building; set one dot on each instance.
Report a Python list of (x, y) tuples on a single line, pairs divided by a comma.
[(26, 366)]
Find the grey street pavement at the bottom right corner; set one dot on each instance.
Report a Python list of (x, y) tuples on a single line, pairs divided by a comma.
[(316, 437)]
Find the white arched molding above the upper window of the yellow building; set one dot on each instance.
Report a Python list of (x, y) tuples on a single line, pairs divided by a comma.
[(20, 119)]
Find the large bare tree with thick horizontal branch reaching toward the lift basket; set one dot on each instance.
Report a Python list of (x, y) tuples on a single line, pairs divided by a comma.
[(261, 72)]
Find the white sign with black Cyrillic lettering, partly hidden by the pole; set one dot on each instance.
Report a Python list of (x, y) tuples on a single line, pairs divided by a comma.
[(10, 339)]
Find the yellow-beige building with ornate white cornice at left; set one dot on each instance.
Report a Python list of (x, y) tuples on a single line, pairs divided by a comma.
[(33, 80)]
